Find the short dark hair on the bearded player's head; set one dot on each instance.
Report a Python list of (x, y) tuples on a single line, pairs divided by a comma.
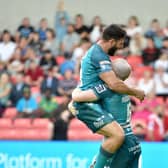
[(113, 32)]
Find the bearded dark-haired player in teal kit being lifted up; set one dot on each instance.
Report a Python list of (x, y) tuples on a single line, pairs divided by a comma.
[(96, 69)]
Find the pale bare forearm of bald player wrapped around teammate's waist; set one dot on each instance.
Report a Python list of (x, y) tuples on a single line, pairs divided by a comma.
[(83, 96)]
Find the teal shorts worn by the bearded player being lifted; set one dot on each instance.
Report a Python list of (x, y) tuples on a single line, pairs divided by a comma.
[(93, 115)]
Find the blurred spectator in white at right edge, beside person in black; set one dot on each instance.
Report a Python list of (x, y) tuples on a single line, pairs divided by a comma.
[(162, 62)]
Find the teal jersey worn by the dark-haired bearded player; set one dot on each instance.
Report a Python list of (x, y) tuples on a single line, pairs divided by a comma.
[(95, 61)]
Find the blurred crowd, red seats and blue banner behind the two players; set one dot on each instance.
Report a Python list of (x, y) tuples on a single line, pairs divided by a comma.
[(41, 46)]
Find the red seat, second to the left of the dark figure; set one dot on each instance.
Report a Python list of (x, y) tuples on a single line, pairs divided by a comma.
[(22, 123)]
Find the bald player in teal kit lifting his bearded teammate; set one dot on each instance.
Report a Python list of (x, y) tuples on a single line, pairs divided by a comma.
[(127, 156)]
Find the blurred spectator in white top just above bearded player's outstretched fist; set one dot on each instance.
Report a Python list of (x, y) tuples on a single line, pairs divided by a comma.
[(146, 83)]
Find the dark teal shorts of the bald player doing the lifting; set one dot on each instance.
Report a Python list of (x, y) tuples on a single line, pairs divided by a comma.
[(128, 154)]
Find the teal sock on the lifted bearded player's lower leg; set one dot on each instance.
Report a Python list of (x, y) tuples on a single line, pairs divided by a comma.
[(102, 158)]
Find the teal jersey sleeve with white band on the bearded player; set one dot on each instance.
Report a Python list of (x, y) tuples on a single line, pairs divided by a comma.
[(101, 62)]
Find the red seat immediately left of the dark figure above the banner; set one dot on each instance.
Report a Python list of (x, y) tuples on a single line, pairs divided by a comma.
[(41, 123)]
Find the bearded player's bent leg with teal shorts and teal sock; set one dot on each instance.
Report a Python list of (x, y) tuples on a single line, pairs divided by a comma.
[(102, 123)]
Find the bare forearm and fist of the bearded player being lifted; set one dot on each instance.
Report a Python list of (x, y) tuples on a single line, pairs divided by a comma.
[(119, 86)]
